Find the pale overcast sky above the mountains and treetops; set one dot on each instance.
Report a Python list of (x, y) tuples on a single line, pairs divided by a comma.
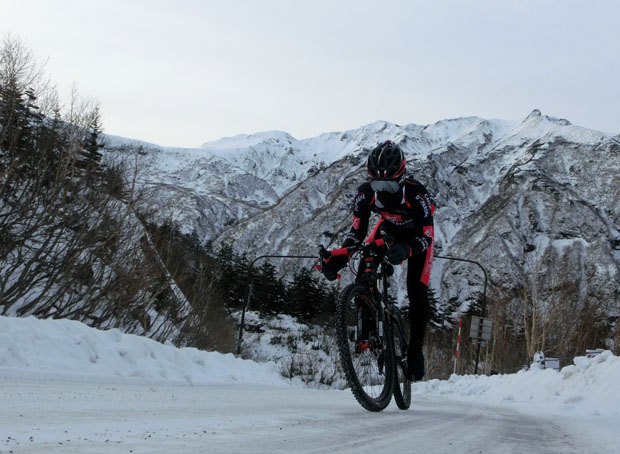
[(182, 72)]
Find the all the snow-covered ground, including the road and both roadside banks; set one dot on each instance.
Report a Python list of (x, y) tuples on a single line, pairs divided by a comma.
[(68, 388)]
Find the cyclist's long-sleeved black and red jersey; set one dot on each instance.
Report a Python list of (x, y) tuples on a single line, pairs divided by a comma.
[(406, 214)]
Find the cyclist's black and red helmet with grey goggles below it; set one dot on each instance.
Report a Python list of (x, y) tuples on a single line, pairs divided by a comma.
[(386, 167)]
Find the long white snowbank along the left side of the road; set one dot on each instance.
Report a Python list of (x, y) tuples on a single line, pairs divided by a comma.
[(68, 350)]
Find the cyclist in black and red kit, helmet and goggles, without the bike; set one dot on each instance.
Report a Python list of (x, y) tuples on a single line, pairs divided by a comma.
[(406, 211)]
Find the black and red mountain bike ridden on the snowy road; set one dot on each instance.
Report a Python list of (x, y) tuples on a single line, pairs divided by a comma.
[(370, 331)]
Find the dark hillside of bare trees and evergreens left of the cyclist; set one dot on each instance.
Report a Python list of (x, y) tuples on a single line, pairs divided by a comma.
[(74, 245)]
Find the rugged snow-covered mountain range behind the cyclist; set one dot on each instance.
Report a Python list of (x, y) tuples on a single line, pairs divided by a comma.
[(533, 196)]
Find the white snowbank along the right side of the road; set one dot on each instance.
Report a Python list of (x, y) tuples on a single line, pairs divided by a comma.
[(587, 388)]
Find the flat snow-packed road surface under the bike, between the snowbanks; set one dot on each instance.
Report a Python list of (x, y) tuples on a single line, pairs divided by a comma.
[(94, 418)]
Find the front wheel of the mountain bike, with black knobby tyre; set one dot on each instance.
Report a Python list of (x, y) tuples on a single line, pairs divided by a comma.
[(365, 348)]
